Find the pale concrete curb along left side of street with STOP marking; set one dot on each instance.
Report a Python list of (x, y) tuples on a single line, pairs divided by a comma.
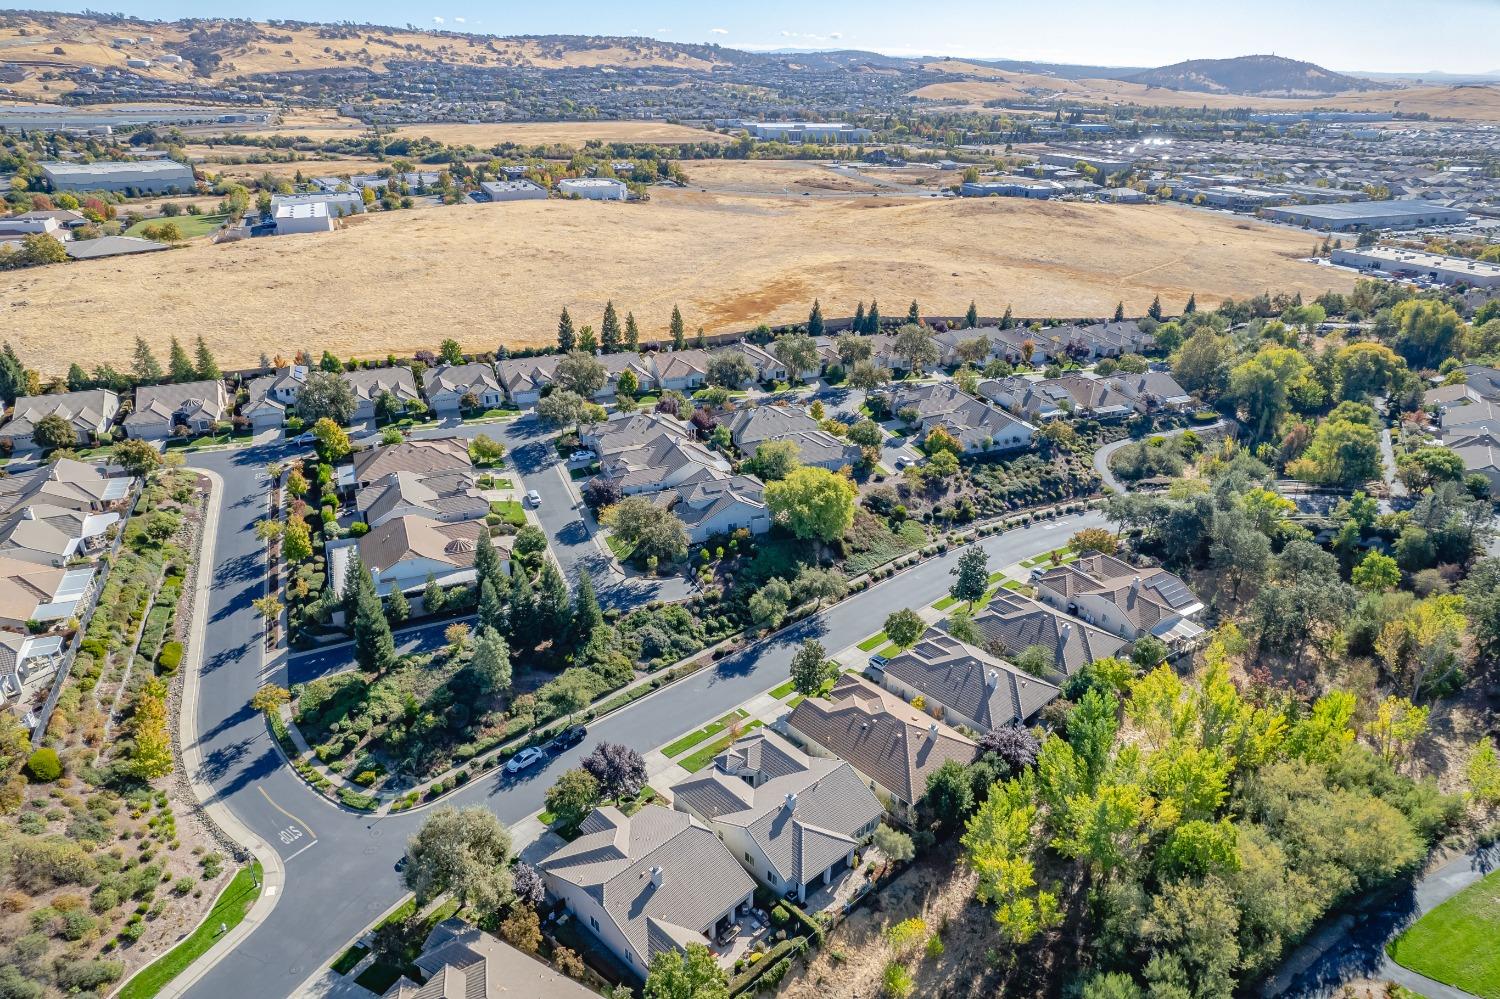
[(274, 877)]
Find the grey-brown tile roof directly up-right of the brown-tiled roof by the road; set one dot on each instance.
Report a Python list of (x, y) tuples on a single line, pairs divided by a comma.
[(971, 682)]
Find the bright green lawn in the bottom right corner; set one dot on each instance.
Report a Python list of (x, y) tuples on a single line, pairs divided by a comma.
[(1456, 943)]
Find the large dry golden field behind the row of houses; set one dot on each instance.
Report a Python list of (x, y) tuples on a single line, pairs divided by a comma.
[(500, 274)]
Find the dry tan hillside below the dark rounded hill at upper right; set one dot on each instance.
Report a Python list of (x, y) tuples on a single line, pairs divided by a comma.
[(1471, 101)]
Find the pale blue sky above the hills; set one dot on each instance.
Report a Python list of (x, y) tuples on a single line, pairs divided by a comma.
[(1351, 35)]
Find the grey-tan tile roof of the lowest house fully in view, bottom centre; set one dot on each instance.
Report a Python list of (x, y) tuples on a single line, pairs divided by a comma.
[(614, 860)]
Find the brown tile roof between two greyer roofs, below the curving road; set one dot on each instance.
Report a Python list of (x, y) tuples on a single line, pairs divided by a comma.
[(881, 736)]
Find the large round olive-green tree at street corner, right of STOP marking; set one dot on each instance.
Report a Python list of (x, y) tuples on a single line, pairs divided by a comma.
[(464, 854)]
